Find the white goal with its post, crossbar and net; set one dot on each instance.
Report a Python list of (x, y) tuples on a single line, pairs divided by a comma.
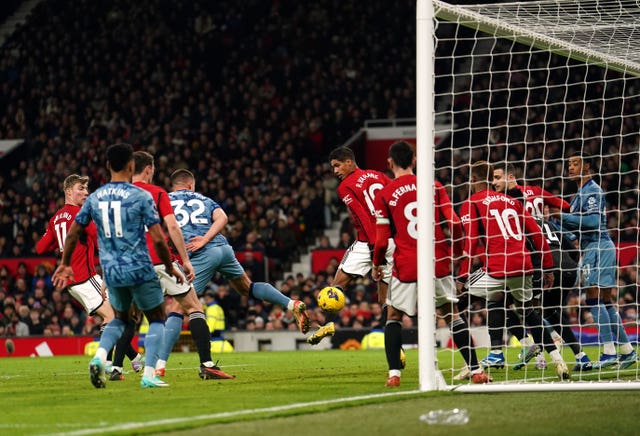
[(528, 83)]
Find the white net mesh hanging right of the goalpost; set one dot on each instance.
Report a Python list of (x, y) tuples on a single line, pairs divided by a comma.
[(531, 84)]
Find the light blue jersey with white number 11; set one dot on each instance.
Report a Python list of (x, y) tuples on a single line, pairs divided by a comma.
[(121, 211)]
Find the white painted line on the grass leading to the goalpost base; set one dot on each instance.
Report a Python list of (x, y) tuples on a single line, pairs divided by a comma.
[(169, 421)]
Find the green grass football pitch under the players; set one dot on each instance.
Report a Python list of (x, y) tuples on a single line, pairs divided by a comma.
[(275, 393)]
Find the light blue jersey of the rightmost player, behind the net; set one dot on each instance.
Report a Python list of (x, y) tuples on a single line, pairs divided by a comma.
[(588, 215)]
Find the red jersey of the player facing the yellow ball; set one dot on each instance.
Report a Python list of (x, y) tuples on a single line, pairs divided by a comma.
[(358, 192)]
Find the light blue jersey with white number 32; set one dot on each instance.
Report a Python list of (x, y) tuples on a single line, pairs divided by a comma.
[(194, 213)]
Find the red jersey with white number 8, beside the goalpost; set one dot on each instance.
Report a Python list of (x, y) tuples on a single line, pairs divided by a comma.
[(397, 216)]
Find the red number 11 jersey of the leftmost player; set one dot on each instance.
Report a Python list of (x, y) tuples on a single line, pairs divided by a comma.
[(83, 260)]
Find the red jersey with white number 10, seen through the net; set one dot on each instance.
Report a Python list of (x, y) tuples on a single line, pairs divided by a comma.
[(501, 224)]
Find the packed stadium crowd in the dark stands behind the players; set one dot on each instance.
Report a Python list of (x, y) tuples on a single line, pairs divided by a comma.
[(251, 99)]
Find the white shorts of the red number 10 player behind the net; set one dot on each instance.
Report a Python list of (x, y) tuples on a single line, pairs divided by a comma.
[(481, 284)]
